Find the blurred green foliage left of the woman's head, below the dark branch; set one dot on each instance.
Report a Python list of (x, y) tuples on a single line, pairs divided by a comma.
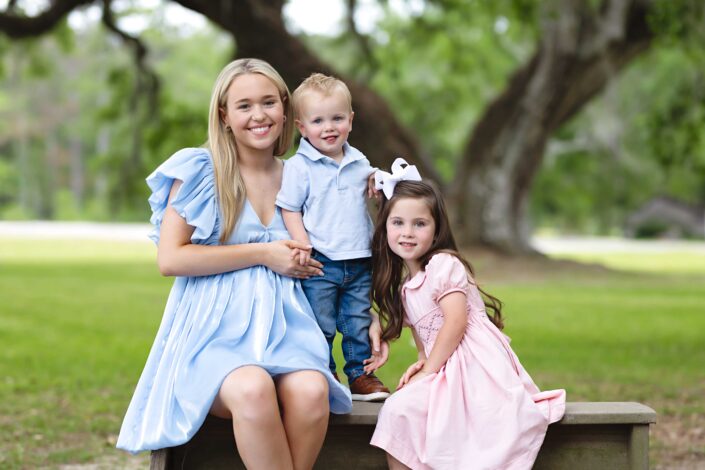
[(72, 91)]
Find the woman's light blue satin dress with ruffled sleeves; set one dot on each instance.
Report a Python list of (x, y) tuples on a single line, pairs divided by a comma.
[(215, 324)]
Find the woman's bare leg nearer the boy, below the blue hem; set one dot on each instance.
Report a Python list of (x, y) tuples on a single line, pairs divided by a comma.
[(303, 397)]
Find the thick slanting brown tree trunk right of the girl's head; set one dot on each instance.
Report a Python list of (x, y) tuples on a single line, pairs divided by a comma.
[(580, 51)]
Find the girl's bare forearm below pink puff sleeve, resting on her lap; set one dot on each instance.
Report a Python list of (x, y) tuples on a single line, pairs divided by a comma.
[(455, 320)]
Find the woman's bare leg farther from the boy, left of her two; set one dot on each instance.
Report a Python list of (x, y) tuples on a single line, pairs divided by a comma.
[(249, 397)]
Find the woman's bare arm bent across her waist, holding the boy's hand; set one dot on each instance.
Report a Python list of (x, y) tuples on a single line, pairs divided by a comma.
[(177, 256)]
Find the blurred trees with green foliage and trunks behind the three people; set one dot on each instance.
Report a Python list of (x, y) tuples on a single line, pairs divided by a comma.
[(565, 115)]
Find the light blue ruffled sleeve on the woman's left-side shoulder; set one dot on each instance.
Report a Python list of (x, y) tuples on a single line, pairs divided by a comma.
[(195, 200)]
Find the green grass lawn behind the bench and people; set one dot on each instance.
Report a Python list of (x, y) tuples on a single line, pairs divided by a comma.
[(77, 319)]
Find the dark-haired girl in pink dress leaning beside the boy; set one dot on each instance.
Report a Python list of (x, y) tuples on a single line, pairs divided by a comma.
[(467, 402)]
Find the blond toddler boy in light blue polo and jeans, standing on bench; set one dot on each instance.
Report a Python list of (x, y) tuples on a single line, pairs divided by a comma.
[(323, 204)]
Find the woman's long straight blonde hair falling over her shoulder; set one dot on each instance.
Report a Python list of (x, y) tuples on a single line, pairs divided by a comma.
[(229, 184)]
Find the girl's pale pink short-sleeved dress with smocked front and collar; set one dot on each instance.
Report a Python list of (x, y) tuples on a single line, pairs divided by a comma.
[(481, 410)]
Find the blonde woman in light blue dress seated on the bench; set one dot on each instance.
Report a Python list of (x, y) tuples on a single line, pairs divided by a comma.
[(238, 338)]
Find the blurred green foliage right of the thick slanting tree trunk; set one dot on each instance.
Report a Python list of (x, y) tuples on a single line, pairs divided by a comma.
[(643, 138)]
